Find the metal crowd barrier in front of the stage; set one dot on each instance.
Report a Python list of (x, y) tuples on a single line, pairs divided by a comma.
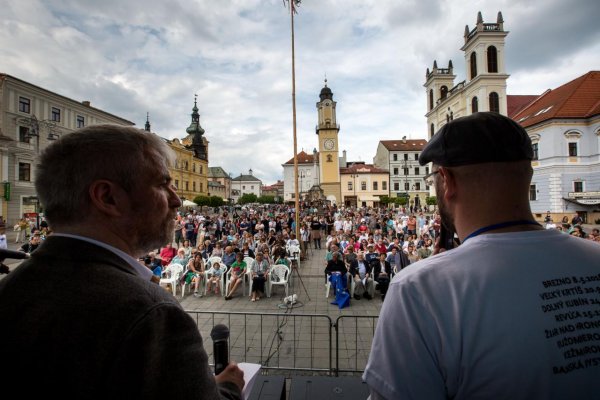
[(290, 343)]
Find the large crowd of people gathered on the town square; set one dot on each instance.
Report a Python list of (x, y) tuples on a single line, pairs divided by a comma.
[(367, 245)]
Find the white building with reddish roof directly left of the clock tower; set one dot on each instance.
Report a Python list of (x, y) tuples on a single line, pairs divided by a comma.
[(308, 175)]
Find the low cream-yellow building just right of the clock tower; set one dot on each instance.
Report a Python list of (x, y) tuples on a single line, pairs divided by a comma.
[(363, 185)]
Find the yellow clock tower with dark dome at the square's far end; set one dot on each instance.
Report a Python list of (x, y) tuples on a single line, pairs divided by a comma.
[(327, 130)]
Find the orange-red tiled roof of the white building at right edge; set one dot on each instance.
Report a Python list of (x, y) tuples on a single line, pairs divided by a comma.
[(579, 98)]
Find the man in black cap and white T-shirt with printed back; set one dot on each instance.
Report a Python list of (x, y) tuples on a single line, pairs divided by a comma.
[(514, 311)]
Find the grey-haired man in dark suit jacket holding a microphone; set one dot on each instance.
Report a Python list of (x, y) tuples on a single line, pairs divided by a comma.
[(81, 318)]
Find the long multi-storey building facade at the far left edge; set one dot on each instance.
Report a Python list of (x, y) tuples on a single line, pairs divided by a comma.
[(31, 117)]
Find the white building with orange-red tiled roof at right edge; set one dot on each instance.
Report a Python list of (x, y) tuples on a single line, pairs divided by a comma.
[(564, 126)]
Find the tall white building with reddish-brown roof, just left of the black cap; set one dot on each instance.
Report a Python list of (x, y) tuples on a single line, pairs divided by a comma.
[(401, 159)]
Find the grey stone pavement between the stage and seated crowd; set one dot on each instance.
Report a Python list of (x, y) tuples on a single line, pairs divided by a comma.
[(302, 337)]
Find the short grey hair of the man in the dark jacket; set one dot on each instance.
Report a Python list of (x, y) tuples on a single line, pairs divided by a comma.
[(68, 167)]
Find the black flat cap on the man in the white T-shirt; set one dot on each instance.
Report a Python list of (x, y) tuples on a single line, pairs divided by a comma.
[(478, 138)]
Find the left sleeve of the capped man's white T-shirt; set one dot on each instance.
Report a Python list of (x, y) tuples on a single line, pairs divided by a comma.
[(403, 363)]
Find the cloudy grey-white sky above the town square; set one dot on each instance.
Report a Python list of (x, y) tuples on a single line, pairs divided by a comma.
[(130, 57)]
